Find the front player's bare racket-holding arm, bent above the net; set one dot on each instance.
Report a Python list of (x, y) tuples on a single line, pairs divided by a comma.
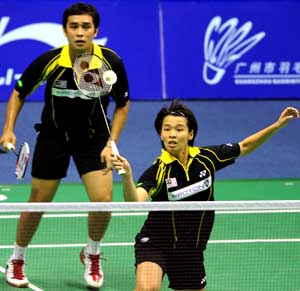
[(131, 193)]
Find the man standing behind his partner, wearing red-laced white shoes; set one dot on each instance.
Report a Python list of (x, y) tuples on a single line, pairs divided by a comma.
[(72, 126)]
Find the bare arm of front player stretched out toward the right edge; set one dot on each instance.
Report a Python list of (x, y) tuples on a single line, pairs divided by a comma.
[(255, 140)]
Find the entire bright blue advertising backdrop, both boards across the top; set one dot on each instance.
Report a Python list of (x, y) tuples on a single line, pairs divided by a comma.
[(186, 49)]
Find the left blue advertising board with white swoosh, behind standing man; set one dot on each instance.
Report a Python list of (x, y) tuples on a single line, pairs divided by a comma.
[(28, 29)]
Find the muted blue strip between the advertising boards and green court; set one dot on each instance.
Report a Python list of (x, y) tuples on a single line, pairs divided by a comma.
[(219, 122)]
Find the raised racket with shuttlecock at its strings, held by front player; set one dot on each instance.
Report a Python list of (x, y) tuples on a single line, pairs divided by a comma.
[(95, 79)]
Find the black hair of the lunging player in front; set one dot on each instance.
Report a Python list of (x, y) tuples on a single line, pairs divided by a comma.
[(177, 109)]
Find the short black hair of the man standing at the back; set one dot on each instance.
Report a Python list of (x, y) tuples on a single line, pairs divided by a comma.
[(81, 8)]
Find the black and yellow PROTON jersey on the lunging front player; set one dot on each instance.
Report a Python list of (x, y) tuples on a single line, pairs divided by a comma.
[(168, 180)]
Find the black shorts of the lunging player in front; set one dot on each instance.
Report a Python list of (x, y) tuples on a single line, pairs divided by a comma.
[(184, 267)]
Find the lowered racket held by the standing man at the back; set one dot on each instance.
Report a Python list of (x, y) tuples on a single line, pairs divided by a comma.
[(22, 158)]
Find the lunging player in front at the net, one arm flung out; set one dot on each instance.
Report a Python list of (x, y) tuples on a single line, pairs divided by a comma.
[(172, 242)]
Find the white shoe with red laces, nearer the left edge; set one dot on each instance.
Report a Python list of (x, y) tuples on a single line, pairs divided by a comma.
[(15, 275)]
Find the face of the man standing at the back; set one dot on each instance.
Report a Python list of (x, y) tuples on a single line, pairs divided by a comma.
[(80, 32)]
